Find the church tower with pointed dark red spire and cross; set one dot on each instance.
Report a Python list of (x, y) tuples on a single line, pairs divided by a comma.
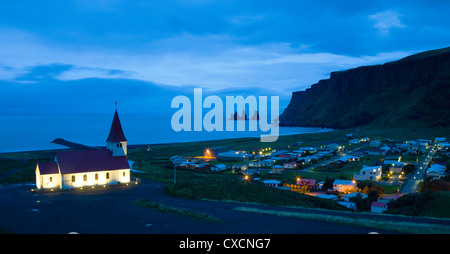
[(116, 141)]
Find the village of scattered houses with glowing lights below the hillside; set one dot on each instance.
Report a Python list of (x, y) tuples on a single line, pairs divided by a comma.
[(362, 174)]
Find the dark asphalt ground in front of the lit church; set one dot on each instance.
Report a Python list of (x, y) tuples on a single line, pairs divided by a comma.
[(110, 211)]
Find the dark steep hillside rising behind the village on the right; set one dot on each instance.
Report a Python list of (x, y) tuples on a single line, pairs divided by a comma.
[(411, 92)]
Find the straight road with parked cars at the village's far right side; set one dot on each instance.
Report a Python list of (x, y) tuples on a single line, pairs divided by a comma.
[(411, 186)]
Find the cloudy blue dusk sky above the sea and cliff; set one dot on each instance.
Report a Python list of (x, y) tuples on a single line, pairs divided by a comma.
[(82, 55)]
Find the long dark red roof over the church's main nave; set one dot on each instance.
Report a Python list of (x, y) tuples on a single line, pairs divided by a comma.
[(90, 160)]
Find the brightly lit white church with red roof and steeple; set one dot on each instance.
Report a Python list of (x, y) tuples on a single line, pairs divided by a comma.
[(76, 169)]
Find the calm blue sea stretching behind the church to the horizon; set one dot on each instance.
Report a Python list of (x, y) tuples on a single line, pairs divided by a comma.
[(31, 132)]
